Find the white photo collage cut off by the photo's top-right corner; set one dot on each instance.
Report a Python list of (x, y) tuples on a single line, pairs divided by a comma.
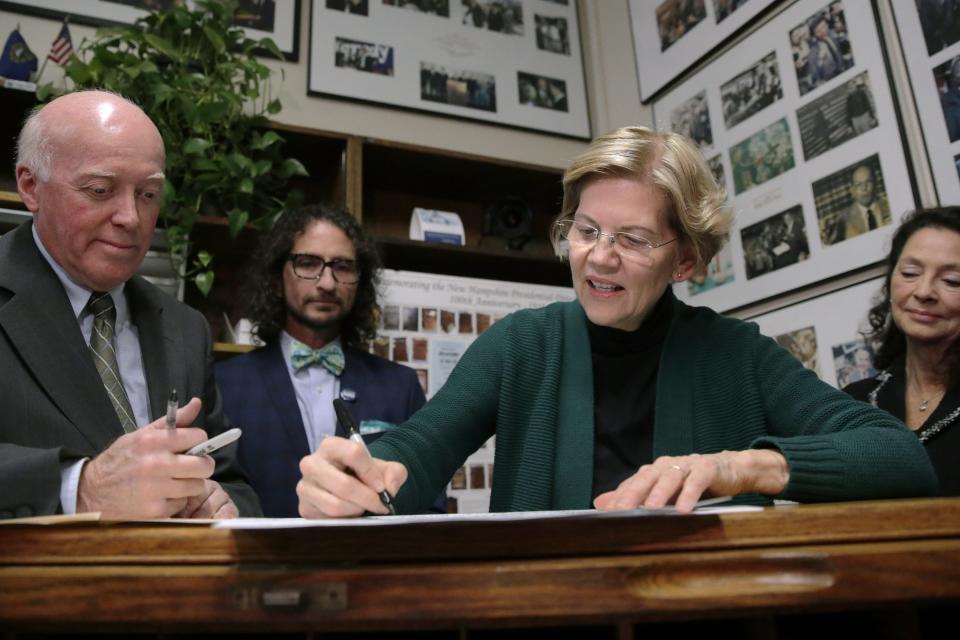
[(930, 35)]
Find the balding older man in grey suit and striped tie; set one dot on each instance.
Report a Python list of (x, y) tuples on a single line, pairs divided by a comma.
[(90, 352)]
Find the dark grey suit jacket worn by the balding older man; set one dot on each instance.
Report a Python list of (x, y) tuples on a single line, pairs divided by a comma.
[(53, 407)]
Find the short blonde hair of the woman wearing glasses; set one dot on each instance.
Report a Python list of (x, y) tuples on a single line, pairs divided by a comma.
[(697, 206)]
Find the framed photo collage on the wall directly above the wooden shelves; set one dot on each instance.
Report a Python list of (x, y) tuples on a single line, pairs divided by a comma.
[(504, 62)]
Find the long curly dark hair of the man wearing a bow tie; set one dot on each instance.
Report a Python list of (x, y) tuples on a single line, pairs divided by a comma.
[(264, 291)]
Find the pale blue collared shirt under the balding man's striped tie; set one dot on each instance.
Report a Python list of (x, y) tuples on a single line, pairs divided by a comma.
[(129, 360)]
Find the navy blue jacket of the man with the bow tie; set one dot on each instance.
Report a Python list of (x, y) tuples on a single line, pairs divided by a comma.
[(258, 397)]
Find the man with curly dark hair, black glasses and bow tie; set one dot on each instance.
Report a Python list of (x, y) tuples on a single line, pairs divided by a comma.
[(312, 300)]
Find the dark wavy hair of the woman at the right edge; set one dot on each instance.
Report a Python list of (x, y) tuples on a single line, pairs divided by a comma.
[(884, 335)]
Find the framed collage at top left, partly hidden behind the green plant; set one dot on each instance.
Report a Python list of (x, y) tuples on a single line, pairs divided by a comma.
[(278, 20)]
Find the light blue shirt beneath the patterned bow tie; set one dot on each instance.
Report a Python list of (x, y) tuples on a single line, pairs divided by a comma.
[(315, 389)]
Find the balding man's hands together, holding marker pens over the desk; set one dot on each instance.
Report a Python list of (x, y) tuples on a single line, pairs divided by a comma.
[(143, 475)]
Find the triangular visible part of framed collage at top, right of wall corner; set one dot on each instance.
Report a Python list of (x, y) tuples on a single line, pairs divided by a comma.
[(669, 36)]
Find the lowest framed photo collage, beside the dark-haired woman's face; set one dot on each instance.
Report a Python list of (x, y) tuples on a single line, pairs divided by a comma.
[(826, 333)]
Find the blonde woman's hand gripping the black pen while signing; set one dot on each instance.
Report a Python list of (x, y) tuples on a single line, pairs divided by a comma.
[(341, 480)]
